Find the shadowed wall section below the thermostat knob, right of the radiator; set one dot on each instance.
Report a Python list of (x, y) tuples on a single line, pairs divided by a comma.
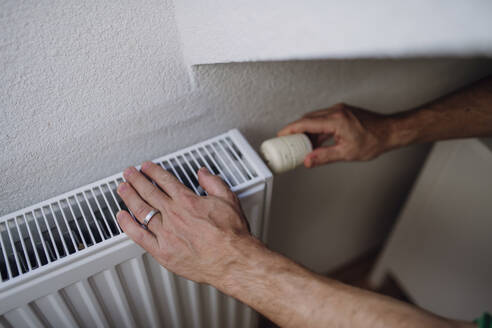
[(340, 211)]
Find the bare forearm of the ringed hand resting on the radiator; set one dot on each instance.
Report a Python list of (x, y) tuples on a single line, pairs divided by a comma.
[(291, 296)]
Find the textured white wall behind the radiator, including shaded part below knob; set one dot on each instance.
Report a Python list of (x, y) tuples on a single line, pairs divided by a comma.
[(88, 88)]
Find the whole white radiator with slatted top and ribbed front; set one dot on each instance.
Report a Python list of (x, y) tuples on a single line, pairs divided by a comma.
[(65, 262)]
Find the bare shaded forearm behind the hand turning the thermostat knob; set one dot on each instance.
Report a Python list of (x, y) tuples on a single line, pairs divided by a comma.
[(462, 114)]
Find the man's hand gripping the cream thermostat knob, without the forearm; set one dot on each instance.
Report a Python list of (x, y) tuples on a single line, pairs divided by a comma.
[(358, 135)]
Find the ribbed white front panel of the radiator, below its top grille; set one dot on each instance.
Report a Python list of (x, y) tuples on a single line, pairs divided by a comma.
[(112, 298)]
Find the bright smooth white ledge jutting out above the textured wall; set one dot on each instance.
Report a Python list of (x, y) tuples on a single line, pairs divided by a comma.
[(220, 31)]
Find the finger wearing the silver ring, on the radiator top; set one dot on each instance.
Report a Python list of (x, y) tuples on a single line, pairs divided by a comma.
[(137, 205)]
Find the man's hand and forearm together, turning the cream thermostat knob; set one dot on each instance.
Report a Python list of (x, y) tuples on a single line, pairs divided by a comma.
[(361, 135)]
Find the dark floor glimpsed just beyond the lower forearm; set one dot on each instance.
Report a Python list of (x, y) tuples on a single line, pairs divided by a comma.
[(356, 273)]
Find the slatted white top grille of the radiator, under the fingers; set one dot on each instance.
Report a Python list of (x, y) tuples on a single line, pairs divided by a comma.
[(73, 223)]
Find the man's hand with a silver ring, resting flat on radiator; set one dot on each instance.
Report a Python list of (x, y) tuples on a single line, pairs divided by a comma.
[(195, 237)]
